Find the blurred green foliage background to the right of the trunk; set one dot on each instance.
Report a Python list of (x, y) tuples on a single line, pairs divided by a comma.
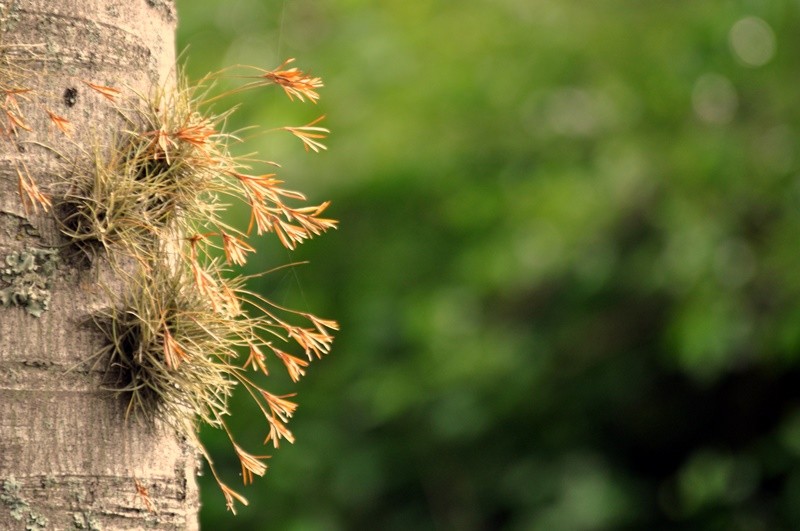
[(567, 272)]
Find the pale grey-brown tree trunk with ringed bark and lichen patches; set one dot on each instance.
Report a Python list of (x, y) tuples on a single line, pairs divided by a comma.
[(69, 459)]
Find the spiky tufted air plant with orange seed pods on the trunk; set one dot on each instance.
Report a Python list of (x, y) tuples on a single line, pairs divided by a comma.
[(184, 330)]
